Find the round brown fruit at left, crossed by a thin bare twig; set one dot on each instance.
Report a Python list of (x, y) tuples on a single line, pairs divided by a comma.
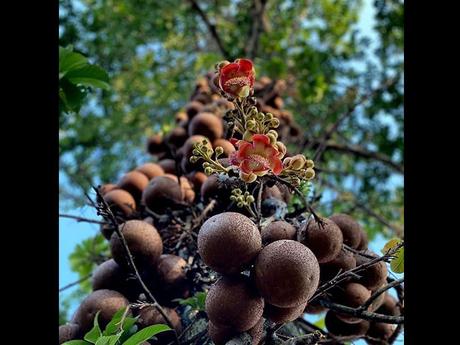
[(143, 241)]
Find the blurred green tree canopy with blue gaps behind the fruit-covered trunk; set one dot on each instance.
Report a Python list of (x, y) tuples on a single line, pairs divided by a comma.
[(345, 90)]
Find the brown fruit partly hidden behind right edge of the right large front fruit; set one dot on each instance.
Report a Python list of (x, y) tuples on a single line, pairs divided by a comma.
[(324, 239)]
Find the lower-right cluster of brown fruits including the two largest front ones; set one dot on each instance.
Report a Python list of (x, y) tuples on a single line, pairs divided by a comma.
[(283, 267)]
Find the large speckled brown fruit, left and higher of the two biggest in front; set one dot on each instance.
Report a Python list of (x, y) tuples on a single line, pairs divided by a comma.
[(229, 242)]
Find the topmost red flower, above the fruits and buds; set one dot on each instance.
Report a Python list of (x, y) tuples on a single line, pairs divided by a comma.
[(237, 78)]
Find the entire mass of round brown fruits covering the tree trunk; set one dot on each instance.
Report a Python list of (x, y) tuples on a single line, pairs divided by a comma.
[(267, 273)]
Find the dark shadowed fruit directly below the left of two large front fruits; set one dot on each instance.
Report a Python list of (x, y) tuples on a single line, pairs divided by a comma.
[(233, 302)]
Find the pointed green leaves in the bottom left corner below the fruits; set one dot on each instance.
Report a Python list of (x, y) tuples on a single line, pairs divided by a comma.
[(121, 330)]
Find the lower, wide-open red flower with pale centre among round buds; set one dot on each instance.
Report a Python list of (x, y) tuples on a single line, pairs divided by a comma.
[(257, 158)]
